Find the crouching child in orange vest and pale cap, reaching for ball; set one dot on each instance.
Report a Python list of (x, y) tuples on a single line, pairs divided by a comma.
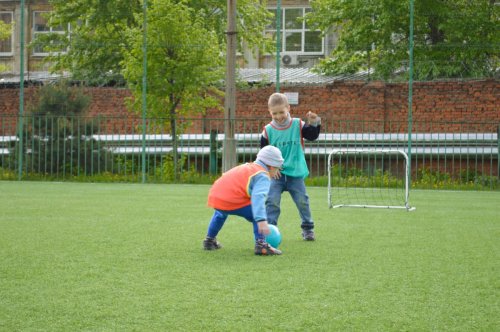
[(242, 191)]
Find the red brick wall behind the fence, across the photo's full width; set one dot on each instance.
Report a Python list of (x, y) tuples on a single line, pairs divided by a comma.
[(344, 106)]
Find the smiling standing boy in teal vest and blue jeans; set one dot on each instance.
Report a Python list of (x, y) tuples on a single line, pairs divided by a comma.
[(287, 134)]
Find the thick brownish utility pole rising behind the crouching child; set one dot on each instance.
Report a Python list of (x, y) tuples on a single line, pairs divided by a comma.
[(229, 152)]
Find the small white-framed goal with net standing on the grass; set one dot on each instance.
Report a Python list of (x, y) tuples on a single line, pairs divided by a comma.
[(368, 178)]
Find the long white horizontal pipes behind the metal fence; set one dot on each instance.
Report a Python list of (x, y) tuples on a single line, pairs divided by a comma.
[(445, 144)]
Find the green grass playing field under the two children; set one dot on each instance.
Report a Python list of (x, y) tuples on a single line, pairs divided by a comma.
[(125, 257)]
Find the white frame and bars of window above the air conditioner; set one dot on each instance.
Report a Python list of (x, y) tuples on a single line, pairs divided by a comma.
[(302, 30)]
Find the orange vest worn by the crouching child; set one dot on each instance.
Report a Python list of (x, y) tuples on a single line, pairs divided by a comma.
[(231, 191)]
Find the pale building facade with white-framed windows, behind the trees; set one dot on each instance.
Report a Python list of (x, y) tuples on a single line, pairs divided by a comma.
[(301, 46)]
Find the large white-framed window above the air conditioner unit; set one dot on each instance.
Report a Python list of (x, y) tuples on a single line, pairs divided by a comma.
[(296, 35)]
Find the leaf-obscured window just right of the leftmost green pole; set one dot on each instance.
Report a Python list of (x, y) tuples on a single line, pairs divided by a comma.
[(41, 29)]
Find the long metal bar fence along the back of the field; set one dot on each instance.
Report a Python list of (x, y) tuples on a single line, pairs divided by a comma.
[(112, 148)]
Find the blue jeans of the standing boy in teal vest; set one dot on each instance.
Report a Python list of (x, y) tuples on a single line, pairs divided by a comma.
[(297, 189)]
